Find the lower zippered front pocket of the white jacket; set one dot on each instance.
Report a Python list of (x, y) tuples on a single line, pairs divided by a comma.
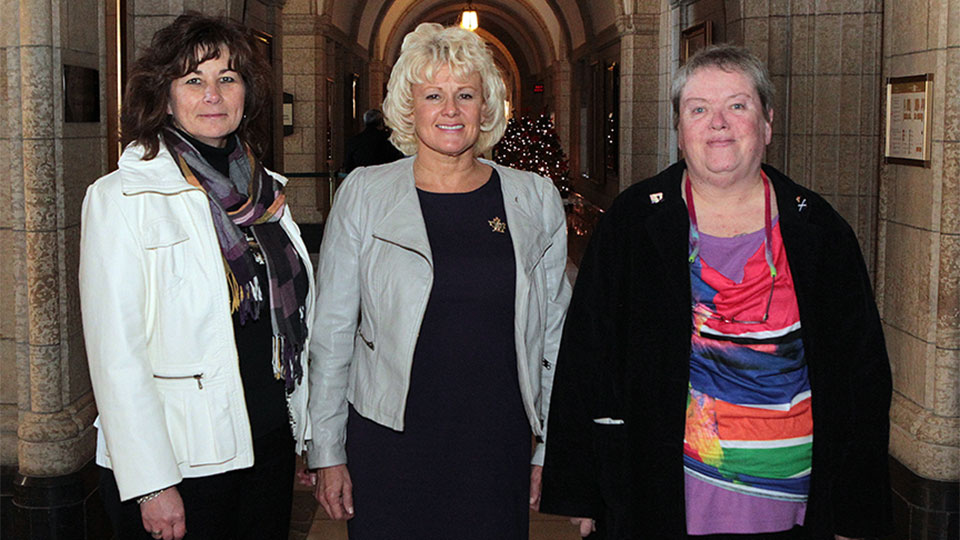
[(200, 422)]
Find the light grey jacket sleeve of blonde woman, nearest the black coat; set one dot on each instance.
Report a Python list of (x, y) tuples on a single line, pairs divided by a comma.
[(557, 298)]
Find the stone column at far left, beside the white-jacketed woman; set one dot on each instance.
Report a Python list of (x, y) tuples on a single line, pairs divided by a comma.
[(54, 402)]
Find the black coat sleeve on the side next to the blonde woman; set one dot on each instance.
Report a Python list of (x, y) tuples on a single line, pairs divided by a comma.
[(571, 472)]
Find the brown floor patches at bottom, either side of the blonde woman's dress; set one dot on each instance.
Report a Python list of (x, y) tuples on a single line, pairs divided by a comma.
[(310, 522)]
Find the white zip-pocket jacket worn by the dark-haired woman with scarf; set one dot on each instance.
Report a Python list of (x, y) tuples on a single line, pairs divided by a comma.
[(158, 329)]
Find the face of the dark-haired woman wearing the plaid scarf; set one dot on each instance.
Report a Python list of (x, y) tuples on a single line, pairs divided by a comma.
[(208, 103)]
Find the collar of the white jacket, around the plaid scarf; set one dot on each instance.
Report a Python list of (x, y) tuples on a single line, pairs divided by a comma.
[(158, 175)]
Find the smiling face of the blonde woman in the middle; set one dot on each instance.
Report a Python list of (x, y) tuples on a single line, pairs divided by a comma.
[(446, 114)]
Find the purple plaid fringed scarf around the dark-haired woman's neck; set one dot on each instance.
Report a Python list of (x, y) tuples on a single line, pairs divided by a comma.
[(261, 212)]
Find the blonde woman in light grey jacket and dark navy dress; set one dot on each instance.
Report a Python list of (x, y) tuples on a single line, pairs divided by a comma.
[(441, 299)]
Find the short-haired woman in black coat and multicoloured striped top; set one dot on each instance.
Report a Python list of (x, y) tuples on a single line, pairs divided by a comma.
[(665, 336)]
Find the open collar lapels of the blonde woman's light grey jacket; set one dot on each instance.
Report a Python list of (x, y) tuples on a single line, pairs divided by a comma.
[(403, 223)]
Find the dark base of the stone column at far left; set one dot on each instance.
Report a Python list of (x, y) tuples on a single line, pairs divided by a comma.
[(56, 508)]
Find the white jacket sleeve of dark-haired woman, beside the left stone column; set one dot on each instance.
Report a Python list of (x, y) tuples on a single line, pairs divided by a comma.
[(114, 308)]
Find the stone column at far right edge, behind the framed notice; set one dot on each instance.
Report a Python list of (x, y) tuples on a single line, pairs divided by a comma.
[(918, 275)]
